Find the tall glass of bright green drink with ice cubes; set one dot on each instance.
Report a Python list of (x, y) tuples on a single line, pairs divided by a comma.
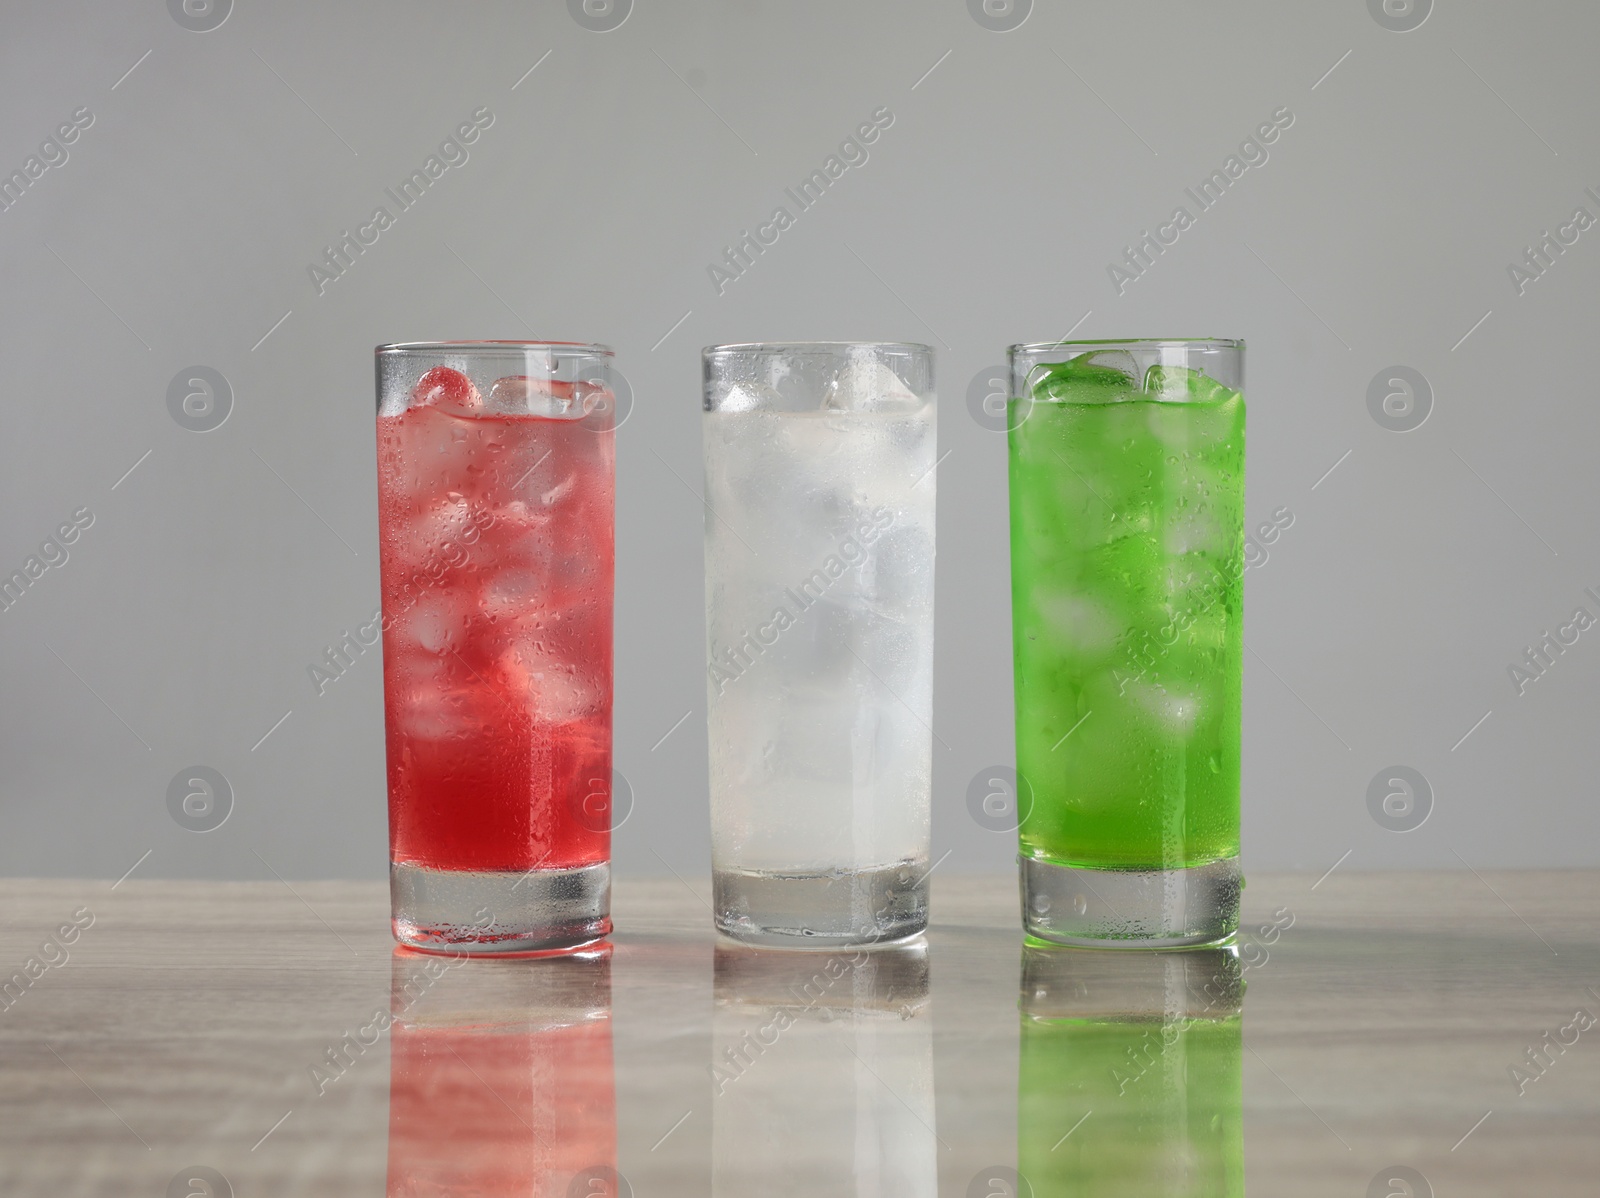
[(1127, 469)]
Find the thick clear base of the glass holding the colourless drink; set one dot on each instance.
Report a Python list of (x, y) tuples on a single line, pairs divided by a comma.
[(823, 911)]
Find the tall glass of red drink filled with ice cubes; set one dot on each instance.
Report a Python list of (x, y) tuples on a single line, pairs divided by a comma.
[(497, 474)]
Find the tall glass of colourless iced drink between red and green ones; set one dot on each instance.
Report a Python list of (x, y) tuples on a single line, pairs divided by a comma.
[(820, 501)]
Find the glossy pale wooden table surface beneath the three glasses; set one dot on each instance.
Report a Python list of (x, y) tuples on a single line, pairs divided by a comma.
[(158, 1031)]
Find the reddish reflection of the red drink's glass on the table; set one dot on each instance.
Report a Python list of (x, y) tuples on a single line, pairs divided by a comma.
[(502, 1077)]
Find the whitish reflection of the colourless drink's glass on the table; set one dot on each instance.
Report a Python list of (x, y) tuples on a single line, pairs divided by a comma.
[(823, 1074)]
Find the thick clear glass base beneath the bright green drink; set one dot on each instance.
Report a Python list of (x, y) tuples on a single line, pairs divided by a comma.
[(1130, 909)]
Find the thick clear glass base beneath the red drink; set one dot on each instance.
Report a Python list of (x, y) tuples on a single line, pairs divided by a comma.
[(500, 912)]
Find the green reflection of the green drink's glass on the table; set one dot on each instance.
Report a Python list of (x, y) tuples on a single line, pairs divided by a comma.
[(1130, 1077)]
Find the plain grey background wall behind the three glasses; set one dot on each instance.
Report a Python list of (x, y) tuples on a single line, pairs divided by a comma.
[(1018, 167)]
